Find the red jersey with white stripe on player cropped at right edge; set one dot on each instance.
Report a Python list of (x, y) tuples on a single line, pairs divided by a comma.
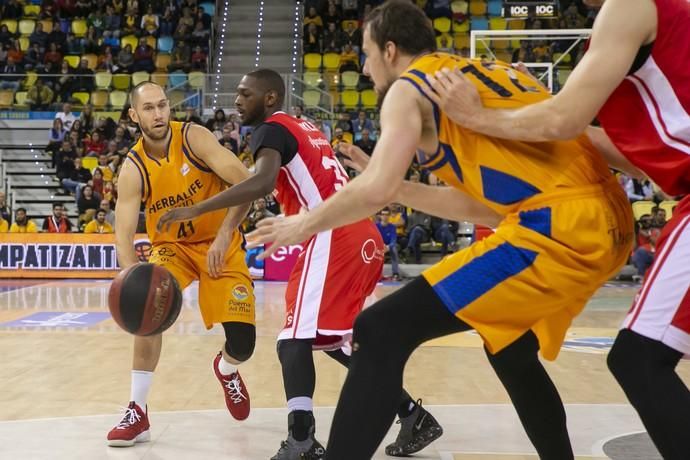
[(647, 116)]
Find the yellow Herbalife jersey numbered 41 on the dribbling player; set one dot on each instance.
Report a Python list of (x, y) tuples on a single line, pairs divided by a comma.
[(178, 179)]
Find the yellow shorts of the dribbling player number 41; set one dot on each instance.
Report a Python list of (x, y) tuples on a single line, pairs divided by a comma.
[(229, 297)]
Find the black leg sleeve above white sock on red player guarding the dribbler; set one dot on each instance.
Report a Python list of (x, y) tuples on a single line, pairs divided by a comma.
[(297, 361)]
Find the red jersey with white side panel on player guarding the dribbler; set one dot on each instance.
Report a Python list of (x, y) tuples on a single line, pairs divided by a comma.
[(313, 173)]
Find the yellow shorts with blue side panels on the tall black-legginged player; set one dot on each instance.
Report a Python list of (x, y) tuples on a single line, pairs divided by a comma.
[(540, 267)]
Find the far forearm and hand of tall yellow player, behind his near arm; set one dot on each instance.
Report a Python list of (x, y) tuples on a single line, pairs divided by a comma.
[(445, 202)]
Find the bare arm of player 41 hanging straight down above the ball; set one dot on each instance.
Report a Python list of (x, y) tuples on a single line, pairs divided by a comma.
[(130, 192)]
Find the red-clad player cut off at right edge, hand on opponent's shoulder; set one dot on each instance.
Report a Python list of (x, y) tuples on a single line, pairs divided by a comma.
[(634, 79)]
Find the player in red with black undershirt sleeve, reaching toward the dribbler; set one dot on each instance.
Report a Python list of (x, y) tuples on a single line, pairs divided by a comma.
[(335, 273)]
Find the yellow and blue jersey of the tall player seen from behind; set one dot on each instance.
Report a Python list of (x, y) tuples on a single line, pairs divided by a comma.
[(497, 172)]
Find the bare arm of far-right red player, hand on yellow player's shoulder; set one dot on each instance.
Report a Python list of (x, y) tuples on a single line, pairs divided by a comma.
[(620, 29)]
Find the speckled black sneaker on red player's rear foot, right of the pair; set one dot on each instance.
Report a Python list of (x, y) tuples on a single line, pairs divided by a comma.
[(417, 431)]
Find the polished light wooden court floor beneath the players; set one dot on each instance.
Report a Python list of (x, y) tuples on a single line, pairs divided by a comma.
[(65, 376)]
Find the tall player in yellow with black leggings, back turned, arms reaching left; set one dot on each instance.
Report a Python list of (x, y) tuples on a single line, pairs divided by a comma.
[(565, 228)]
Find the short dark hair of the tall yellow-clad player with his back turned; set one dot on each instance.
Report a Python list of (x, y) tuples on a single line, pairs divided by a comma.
[(402, 23)]
